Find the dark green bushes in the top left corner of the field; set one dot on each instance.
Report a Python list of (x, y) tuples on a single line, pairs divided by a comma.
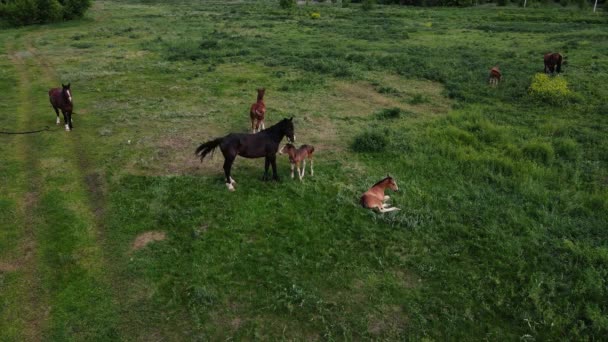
[(25, 12)]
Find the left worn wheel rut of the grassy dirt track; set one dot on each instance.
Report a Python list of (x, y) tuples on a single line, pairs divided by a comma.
[(27, 309)]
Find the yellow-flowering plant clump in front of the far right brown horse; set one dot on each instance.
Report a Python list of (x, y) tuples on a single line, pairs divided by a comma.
[(553, 90)]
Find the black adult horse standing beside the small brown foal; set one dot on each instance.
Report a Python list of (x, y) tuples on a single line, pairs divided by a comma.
[(263, 144)]
